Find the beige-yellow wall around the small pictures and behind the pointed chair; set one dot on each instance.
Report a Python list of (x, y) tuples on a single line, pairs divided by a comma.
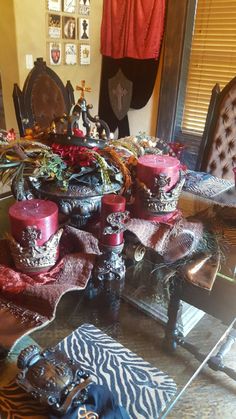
[(23, 31)]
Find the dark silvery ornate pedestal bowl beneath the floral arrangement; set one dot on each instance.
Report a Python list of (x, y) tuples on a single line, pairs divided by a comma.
[(79, 202)]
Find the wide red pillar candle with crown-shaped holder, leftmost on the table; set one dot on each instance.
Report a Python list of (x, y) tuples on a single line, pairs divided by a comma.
[(34, 238)]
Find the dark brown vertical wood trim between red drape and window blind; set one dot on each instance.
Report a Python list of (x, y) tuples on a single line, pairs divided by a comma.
[(177, 42)]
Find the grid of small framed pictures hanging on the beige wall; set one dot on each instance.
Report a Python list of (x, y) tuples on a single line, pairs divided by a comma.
[(68, 32)]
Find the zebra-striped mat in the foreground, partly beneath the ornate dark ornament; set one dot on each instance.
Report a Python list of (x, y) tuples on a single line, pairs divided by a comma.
[(142, 389)]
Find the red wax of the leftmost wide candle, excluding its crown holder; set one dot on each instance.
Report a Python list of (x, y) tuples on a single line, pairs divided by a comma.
[(35, 212)]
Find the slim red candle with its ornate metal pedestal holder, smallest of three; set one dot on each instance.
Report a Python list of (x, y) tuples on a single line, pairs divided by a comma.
[(110, 264)]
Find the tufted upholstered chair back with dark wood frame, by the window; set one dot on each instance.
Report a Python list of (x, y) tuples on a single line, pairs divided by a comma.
[(217, 153)]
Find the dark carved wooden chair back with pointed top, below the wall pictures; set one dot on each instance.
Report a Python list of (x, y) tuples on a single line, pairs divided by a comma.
[(43, 98)]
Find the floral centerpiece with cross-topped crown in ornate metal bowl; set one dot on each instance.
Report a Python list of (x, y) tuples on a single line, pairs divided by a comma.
[(70, 165)]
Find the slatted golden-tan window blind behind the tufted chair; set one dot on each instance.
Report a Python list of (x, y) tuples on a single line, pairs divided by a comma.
[(212, 58)]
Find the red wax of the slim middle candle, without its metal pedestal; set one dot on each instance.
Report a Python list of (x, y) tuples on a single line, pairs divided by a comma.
[(111, 203)]
